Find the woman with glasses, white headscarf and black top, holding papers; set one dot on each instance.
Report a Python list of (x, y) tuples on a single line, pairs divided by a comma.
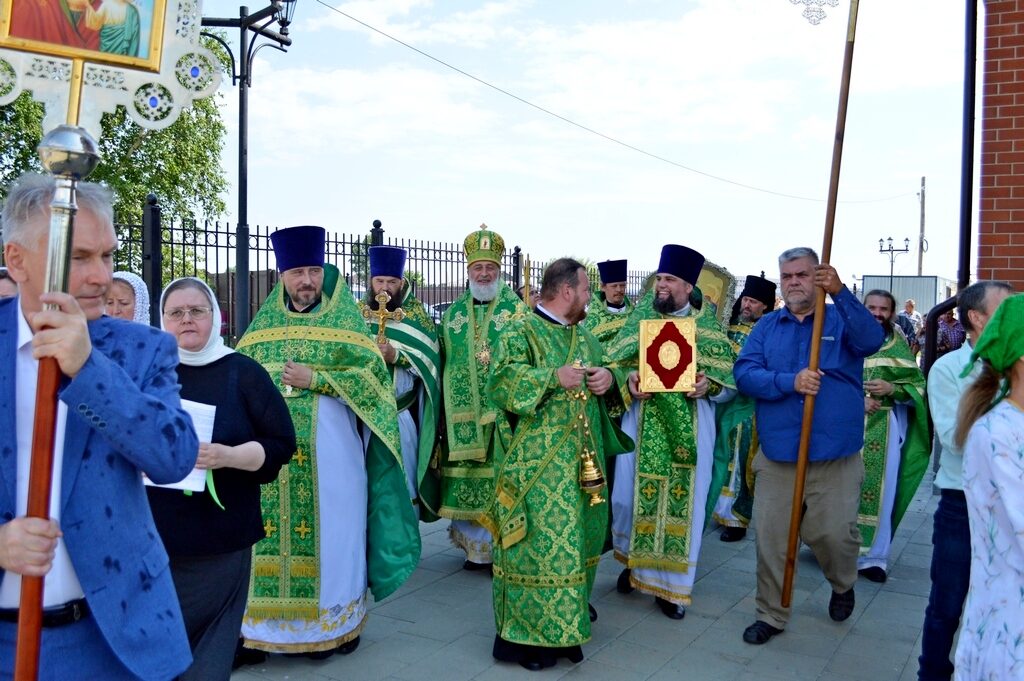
[(209, 535)]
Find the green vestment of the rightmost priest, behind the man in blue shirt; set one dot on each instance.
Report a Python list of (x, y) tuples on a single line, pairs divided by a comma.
[(893, 363)]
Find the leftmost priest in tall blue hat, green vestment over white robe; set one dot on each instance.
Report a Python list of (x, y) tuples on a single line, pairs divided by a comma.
[(338, 519)]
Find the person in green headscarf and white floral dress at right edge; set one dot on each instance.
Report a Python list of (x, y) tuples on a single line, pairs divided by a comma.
[(991, 429)]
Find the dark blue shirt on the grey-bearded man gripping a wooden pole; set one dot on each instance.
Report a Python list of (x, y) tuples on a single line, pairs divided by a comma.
[(779, 348)]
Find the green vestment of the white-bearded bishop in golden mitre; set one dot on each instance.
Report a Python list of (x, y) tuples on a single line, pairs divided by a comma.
[(470, 334)]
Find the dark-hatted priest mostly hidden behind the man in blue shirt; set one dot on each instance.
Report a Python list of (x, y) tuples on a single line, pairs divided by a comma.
[(738, 443)]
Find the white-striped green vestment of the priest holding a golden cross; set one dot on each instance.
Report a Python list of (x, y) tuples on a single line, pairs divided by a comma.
[(415, 339)]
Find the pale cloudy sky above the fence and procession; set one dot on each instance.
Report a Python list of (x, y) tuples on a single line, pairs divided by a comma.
[(351, 126)]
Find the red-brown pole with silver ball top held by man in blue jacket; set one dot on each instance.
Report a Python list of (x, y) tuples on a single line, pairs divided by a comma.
[(69, 153)]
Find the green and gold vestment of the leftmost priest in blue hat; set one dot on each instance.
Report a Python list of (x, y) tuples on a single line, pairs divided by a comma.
[(347, 364)]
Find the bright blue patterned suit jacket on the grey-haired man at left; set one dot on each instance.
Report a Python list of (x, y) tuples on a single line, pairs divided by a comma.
[(124, 416)]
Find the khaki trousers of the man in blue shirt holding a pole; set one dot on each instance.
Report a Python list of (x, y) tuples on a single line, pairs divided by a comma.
[(832, 498)]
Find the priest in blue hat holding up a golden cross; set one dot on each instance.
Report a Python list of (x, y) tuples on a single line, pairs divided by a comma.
[(413, 358)]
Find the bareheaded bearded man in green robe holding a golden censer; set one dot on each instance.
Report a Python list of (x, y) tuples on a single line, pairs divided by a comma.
[(550, 514)]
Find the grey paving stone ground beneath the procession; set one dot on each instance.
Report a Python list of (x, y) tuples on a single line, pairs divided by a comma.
[(440, 626)]
